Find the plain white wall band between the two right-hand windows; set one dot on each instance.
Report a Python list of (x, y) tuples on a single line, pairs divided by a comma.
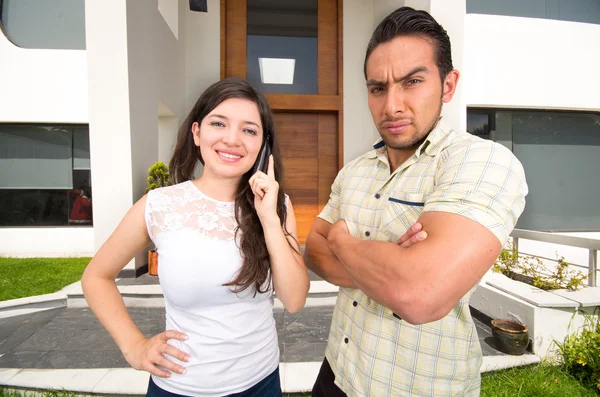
[(517, 62)]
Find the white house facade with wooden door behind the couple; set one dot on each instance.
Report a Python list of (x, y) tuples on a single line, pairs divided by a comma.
[(92, 94)]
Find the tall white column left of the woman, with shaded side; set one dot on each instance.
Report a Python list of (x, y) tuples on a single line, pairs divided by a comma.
[(123, 107)]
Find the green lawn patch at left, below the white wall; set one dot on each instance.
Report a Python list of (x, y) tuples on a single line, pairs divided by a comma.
[(21, 277)]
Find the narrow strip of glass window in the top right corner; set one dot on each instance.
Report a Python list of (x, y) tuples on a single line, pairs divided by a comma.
[(587, 11)]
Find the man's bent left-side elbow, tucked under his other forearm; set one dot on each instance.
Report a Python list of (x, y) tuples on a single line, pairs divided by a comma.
[(324, 263)]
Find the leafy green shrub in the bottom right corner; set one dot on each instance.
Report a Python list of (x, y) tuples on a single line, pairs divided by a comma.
[(580, 352)]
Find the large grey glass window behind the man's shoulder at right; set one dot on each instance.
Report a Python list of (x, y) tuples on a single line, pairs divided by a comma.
[(560, 152)]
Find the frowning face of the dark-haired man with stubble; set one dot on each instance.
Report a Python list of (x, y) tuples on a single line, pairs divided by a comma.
[(405, 90)]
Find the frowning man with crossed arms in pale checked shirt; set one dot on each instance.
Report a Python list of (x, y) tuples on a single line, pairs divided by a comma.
[(401, 325)]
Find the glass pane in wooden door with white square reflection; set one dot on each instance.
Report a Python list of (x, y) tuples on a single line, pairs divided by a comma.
[(281, 51)]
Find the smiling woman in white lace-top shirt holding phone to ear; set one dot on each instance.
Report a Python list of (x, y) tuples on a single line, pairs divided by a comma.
[(226, 241)]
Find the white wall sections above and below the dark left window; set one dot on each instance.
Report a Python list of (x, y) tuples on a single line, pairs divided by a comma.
[(43, 86)]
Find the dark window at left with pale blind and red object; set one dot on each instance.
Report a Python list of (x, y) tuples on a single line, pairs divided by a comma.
[(45, 179)]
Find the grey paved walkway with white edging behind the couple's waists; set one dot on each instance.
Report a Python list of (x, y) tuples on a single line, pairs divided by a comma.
[(65, 347)]
